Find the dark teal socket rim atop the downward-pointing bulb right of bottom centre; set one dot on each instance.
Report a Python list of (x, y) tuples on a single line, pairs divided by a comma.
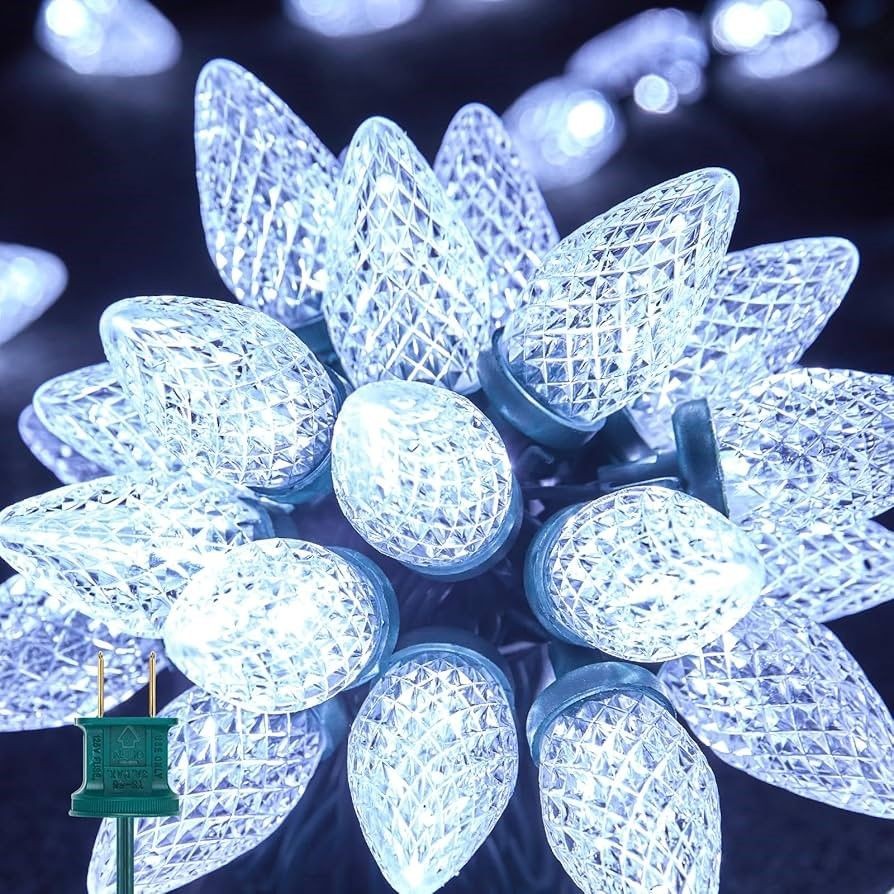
[(593, 681)]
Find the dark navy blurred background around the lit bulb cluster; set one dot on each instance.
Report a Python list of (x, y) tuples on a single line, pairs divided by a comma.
[(101, 172)]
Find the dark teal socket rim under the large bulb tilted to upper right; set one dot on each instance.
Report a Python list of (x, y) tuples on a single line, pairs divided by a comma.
[(521, 409)]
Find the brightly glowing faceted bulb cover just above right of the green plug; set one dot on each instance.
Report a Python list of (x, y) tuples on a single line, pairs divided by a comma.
[(279, 625)]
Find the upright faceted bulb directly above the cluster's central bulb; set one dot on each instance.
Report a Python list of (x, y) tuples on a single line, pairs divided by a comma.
[(408, 294)]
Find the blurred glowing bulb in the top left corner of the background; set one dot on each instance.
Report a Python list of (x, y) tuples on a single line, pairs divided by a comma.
[(108, 37)]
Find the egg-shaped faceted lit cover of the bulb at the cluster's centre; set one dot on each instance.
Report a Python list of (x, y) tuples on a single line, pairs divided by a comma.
[(421, 473)]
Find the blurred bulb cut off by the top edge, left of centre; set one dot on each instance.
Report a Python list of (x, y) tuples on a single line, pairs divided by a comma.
[(351, 18)]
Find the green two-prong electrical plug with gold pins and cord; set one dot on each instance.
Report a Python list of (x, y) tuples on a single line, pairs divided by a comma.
[(125, 771)]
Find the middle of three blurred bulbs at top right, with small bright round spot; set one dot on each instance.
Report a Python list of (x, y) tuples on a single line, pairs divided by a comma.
[(657, 56)]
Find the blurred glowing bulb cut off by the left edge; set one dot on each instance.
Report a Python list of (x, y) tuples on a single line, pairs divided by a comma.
[(30, 281)]
